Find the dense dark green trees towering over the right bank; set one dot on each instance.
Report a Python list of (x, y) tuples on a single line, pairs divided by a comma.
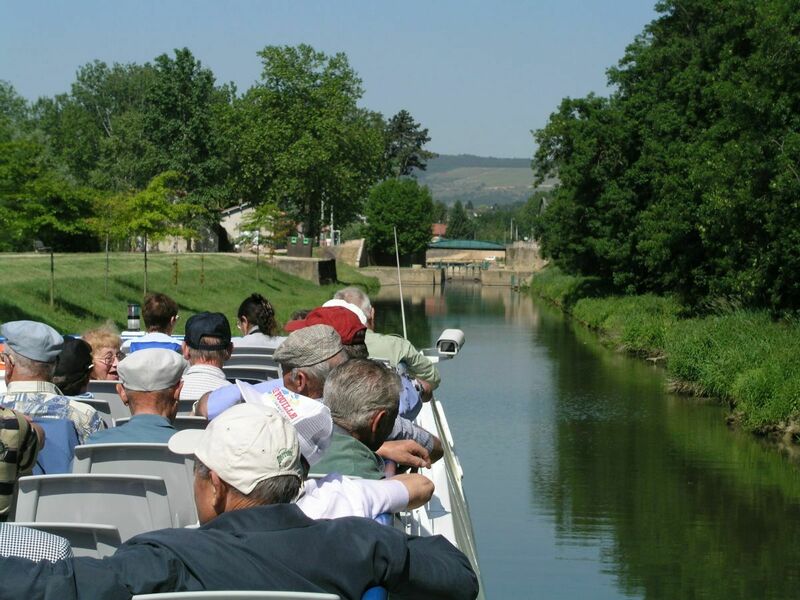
[(685, 180)]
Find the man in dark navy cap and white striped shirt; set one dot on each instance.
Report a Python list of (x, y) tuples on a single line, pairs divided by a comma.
[(206, 345)]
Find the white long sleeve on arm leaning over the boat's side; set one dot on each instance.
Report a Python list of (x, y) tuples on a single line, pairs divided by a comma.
[(335, 496)]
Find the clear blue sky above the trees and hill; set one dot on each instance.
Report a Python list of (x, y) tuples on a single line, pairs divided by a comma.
[(479, 75)]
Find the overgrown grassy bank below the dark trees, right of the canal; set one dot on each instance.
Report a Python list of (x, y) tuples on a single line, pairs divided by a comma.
[(740, 357)]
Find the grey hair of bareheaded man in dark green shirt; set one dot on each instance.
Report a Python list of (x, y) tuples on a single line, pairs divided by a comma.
[(357, 389)]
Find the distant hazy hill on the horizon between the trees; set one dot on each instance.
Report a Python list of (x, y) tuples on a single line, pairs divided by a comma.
[(482, 180)]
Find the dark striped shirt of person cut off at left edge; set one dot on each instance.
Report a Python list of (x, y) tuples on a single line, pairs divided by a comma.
[(18, 448)]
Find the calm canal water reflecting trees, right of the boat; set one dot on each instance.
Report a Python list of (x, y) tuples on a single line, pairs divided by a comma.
[(585, 479)]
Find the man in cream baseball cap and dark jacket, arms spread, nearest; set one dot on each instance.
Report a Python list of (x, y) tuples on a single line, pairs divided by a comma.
[(247, 476)]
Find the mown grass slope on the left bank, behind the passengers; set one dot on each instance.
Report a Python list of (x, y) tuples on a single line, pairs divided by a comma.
[(84, 299)]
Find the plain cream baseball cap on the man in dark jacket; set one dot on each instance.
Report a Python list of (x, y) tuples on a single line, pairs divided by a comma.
[(245, 445)]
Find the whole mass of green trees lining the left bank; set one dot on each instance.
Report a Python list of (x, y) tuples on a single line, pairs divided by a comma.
[(295, 145)]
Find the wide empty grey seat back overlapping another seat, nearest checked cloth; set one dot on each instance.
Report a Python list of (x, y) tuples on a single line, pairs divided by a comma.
[(132, 503)]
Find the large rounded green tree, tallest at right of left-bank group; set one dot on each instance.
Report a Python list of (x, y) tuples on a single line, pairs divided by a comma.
[(303, 141)]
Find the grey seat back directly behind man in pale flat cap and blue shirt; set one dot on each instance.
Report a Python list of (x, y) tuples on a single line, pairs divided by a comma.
[(145, 459)]
